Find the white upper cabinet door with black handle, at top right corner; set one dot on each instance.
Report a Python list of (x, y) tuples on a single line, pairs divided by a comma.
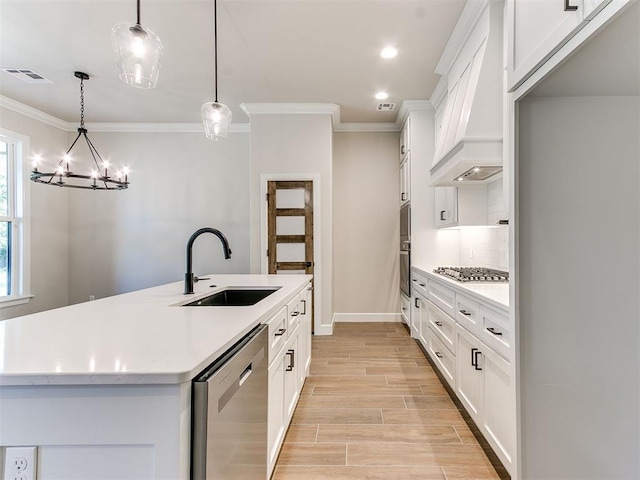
[(537, 28)]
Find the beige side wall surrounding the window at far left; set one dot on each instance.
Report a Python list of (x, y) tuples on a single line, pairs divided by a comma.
[(49, 219)]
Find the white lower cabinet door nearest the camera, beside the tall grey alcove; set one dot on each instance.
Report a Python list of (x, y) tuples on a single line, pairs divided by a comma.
[(498, 418)]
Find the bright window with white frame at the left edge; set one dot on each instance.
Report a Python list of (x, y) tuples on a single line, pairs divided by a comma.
[(13, 274)]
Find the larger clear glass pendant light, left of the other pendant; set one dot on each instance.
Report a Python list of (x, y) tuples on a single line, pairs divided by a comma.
[(137, 52)]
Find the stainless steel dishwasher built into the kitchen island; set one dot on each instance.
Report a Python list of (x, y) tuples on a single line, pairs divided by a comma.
[(229, 413)]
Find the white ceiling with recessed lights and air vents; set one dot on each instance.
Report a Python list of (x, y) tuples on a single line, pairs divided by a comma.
[(282, 51)]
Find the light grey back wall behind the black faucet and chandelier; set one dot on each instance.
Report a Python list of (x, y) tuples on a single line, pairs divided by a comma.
[(128, 240)]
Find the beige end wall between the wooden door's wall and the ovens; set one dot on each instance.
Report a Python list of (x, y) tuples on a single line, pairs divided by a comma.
[(366, 225)]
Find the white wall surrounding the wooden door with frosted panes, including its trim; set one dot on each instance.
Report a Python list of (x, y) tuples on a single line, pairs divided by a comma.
[(296, 144)]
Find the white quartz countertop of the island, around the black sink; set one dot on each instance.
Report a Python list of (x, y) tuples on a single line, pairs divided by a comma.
[(140, 337)]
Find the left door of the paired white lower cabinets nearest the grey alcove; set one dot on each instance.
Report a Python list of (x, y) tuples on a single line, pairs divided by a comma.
[(469, 374)]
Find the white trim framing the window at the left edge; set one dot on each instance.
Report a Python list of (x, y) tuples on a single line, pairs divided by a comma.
[(21, 225)]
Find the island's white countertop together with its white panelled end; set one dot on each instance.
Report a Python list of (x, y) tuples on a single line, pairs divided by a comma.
[(103, 388)]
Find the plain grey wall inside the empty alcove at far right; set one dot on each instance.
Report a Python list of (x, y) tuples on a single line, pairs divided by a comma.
[(579, 278)]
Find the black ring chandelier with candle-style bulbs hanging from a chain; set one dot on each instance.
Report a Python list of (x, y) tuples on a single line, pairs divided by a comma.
[(63, 175)]
